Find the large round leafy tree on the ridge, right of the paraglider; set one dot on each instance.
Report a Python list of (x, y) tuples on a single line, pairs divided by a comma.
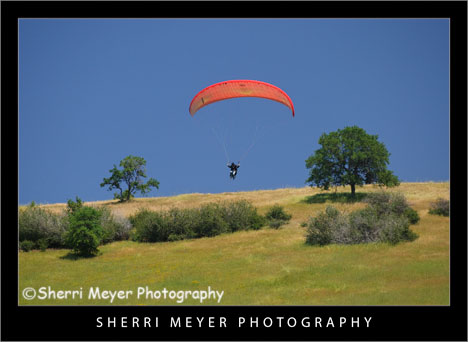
[(352, 157)]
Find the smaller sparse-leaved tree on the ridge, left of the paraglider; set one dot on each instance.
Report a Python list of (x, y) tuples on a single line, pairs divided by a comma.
[(134, 169)]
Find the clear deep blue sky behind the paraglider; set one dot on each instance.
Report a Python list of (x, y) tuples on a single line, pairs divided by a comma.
[(92, 92)]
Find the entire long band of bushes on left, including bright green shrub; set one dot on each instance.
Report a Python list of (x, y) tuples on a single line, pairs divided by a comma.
[(83, 228)]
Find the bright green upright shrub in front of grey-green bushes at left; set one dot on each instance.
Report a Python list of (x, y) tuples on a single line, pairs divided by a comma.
[(85, 232)]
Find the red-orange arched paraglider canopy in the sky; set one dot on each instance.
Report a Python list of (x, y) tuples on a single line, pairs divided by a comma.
[(239, 88)]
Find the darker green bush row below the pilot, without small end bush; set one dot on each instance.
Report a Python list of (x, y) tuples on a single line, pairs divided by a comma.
[(209, 220)]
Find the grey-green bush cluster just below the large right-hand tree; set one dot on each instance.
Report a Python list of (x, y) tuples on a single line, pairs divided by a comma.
[(386, 219)]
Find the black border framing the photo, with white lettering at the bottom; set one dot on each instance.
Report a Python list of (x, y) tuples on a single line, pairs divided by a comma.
[(388, 323)]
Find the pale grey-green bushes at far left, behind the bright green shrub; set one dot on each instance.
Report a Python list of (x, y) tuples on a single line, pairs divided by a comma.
[(42, 229)]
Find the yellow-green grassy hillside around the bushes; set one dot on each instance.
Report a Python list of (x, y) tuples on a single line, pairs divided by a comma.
[(264, 267)]
